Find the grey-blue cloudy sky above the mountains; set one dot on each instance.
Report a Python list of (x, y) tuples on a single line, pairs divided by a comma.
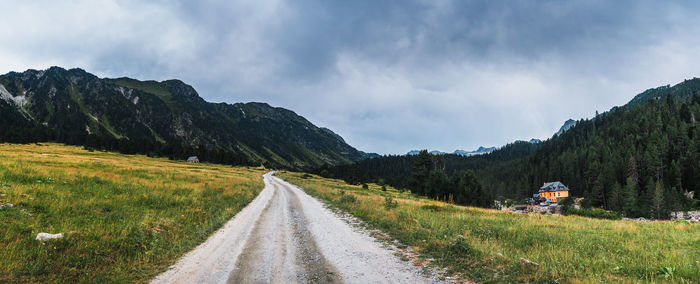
[(389, 76)]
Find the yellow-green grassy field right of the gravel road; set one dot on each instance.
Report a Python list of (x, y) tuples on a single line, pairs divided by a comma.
[(486, 245)]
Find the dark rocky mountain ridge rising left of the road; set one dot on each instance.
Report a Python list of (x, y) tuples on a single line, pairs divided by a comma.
[(75, 101)]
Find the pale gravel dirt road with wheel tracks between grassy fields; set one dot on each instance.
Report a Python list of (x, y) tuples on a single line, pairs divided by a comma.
[(287, 236)]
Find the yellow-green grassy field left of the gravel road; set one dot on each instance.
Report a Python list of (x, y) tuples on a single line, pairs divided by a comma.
[(124, 217)]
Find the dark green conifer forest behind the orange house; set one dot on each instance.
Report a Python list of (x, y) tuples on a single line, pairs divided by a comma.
[(641, 160)]
